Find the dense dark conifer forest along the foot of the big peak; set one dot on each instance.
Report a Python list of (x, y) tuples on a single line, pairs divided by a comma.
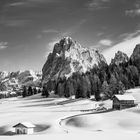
[(102, 81)]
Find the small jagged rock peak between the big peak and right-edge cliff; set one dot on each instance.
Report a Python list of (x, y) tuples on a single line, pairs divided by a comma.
[(119, 58)]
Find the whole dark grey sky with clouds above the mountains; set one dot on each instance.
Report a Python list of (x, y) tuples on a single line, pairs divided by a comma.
[(29, 28)]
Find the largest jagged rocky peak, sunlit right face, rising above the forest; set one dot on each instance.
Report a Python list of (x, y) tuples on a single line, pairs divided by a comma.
[(69, 57)]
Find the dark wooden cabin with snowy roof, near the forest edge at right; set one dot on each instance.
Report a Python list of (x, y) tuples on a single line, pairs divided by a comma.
[(123, 101)]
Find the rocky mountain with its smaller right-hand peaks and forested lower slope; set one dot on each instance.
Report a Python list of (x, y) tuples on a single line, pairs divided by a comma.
[(74, 70)]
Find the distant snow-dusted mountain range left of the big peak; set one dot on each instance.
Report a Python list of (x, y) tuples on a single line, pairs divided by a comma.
[(13, 80)]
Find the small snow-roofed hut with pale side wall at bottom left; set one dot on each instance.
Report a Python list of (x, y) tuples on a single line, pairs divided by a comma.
[(24, 128)]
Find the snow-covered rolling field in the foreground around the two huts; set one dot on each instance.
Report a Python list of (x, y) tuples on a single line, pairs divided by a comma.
[(57, 118)]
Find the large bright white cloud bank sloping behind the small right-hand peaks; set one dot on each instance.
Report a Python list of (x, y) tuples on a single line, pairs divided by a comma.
[(127, 46)]
